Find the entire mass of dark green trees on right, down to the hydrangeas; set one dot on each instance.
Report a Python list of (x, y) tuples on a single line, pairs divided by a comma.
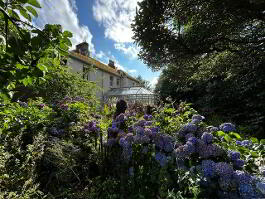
[(212, 53)]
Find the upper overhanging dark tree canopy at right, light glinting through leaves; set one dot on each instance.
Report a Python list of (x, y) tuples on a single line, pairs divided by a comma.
[(171, 30)]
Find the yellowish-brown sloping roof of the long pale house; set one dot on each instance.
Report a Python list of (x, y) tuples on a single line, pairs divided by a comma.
[(100, 65)]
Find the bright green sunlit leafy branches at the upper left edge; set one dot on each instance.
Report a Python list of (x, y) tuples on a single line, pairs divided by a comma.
[(27, 53)]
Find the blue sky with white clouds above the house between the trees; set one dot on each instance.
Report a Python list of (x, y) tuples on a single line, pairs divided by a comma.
[(105, 25)]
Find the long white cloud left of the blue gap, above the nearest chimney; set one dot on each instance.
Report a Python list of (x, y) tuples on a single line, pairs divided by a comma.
[(64, 12)]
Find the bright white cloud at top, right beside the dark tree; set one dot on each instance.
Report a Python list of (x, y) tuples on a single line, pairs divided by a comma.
[(116, 17)]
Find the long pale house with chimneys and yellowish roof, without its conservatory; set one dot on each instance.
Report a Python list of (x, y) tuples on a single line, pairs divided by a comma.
[(106, 76)]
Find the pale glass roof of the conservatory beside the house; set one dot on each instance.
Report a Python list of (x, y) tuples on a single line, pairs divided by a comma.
[(129, 91)]
